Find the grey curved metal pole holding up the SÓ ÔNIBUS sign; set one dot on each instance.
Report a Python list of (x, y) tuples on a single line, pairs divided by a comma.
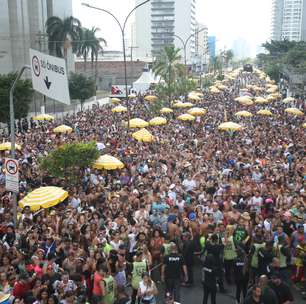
[(13, 139)]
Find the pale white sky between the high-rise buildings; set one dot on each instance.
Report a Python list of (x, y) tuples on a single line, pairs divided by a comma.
[(228, 20)]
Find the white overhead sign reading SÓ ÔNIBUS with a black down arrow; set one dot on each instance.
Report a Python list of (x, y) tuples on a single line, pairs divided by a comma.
[(49, 76)]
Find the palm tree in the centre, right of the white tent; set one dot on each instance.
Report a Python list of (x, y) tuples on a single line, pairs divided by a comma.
[(167, 66)]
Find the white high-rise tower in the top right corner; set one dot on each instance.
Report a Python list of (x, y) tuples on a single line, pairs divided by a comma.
[(288, 20)]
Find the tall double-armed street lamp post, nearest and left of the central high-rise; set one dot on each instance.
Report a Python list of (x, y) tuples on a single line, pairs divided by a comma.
[(122, 29)]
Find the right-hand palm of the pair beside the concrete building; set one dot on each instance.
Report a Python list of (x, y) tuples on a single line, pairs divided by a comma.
[(90, 45)]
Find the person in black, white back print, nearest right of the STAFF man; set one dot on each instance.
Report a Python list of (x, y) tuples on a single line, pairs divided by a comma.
[(209, 279)]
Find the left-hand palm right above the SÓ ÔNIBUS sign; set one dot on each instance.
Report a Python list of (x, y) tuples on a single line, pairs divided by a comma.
[(62, 33)]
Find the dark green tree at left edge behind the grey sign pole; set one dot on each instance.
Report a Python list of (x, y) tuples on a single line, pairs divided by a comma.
[(22, 97)]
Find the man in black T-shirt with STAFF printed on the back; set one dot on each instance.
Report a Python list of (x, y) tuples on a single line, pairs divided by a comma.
[(171, 271)]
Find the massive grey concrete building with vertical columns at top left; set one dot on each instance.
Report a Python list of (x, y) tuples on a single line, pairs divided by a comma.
[(22, 26)]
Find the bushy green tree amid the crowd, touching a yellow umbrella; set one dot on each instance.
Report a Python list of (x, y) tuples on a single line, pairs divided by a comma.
[(67, 161)]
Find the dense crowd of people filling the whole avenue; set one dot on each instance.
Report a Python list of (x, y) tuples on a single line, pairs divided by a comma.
[(232, 202)]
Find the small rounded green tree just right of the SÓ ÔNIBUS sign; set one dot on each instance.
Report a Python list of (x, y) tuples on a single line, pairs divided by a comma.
[(81, 87)]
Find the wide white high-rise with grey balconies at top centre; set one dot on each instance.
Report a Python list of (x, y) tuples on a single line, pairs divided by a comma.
[(161, 22)]
